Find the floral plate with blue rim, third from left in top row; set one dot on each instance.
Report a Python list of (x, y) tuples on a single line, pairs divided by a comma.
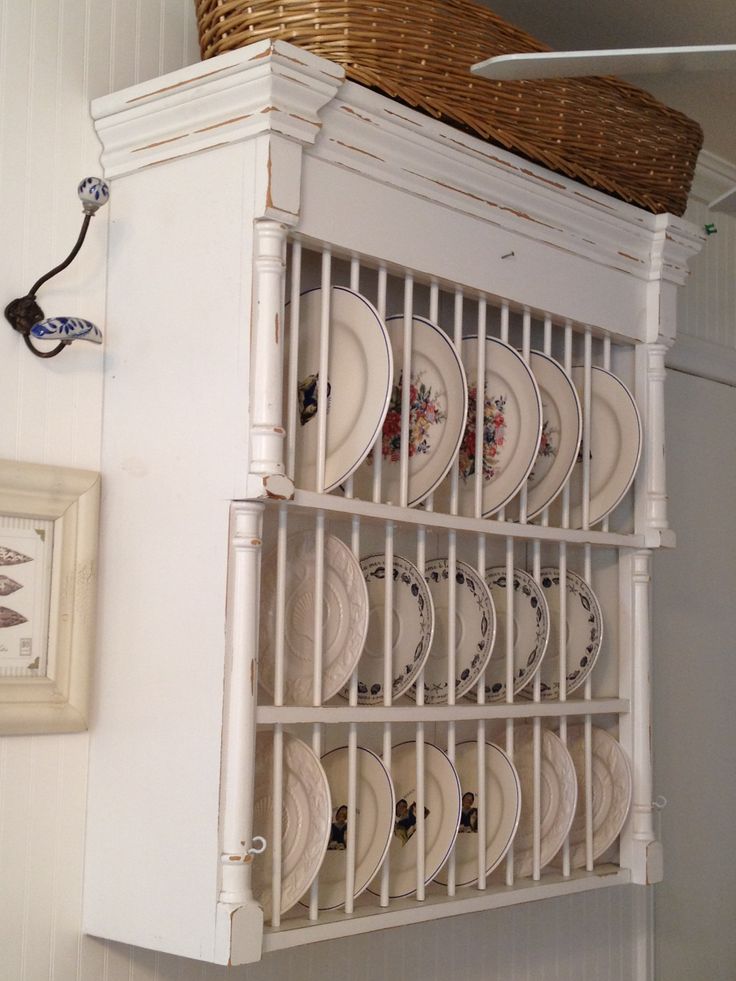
[(512, 430)]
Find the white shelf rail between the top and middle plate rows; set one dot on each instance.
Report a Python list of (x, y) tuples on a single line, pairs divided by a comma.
[(308, 502)]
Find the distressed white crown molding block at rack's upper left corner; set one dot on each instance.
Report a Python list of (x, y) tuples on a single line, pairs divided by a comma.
[(268, 87)]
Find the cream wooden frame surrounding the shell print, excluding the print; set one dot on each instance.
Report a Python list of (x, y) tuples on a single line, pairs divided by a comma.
[(58, 700)]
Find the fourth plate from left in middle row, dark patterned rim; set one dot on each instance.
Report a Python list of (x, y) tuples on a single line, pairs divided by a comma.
[(531, 631)]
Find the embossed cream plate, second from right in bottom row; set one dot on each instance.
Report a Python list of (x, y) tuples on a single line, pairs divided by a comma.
[(559, 792)]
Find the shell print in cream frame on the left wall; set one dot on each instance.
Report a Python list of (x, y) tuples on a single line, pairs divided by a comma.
[(48, 578)]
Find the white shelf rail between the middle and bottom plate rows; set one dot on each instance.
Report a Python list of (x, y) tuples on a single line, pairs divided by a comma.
[(467, 711)]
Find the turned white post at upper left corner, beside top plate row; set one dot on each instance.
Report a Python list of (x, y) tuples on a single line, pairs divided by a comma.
[(267, 477)]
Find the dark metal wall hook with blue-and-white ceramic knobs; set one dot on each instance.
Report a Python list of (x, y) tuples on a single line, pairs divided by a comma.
[(26, 316)]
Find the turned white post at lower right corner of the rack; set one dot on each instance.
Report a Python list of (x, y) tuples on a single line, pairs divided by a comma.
[(640, 851)]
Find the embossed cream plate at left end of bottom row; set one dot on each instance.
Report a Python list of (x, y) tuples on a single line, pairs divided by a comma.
[(306, 819)]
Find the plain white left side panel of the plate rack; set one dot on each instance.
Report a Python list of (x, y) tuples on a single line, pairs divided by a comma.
[(174, 453)]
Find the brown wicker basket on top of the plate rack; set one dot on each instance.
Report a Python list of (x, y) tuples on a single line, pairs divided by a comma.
[(606, 133)]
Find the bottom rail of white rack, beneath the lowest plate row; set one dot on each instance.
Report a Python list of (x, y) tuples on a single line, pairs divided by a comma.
[(295, 932)]
